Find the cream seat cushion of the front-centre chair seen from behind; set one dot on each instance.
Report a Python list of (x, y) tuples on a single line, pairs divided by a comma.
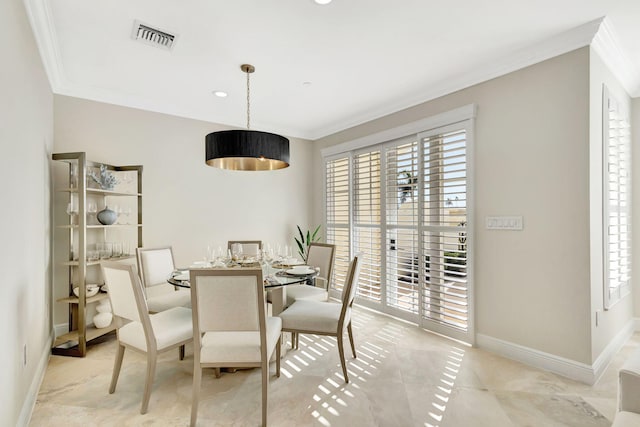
[(239, 346)]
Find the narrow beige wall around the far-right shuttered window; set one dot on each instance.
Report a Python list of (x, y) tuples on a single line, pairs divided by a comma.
[(612, 321)]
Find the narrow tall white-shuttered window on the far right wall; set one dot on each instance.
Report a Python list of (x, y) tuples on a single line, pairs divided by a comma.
[(617, 200)]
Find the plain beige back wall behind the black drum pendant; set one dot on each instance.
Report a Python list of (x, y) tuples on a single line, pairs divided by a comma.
[(186, 203)]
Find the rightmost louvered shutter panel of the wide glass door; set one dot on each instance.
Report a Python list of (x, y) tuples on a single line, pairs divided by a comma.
[(444, 222)]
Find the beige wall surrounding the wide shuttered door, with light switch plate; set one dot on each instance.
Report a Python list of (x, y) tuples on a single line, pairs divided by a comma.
[(532, 159)]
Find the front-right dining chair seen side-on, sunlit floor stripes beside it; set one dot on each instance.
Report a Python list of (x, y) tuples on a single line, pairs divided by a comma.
[(325, 317)]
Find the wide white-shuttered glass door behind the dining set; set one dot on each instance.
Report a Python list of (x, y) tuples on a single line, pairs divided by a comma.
[(405, 204)]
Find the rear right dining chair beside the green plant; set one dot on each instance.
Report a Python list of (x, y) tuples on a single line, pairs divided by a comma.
[(320, 255)]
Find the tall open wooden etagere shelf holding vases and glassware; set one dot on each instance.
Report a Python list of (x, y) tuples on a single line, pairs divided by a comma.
[(76, 189)]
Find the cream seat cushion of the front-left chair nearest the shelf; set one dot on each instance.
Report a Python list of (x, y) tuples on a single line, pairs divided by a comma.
[(170, 327)]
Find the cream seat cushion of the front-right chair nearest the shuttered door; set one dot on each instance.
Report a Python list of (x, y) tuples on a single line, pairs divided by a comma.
[(306, 315)]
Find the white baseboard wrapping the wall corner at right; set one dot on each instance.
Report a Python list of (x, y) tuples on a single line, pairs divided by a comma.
[(578, 371)]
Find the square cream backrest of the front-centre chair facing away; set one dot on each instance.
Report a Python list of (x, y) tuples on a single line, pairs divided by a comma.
[(227, 300)]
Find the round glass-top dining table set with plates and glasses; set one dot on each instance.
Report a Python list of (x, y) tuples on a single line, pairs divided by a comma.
[(277, 276)]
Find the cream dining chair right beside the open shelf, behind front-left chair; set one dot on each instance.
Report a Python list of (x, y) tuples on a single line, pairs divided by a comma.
[(154, 267)]
